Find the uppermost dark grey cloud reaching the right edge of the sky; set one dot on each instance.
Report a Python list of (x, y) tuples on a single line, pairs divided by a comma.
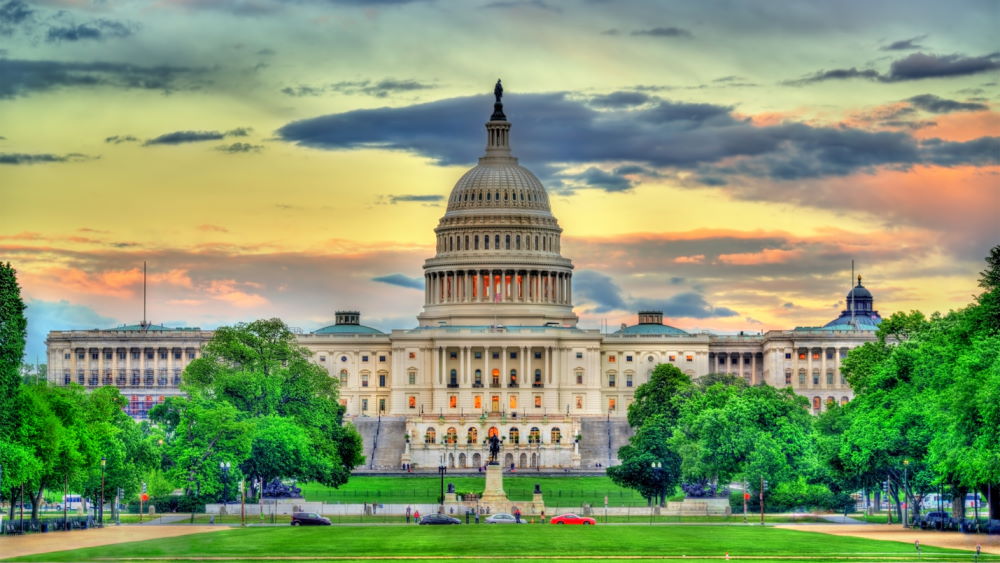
[(914, 67)]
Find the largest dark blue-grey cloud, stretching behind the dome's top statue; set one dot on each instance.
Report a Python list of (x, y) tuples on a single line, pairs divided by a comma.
[(705, 138)]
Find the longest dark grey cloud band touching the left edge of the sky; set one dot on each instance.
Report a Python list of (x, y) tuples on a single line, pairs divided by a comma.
[(22, 77)]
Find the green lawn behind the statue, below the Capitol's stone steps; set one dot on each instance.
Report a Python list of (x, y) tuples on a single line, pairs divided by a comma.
[(559, 490)]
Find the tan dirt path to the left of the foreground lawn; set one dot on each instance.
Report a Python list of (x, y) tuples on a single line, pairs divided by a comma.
[(16, 546)]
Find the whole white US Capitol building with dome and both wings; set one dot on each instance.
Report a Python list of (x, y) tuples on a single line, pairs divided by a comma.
[(496, 349)]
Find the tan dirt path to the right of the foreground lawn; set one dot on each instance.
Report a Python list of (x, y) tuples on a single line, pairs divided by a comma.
[(954, 540)]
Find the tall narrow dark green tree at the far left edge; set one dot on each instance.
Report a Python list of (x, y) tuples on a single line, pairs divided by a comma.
[(13, 330)]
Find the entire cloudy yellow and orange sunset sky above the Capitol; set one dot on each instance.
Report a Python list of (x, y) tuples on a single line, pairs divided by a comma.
[(723, 161)]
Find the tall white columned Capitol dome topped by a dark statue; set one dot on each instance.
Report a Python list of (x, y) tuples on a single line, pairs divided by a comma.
[(498, 257)]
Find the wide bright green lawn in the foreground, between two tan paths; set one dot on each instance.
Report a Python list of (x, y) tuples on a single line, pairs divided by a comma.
[(444, 543)]
